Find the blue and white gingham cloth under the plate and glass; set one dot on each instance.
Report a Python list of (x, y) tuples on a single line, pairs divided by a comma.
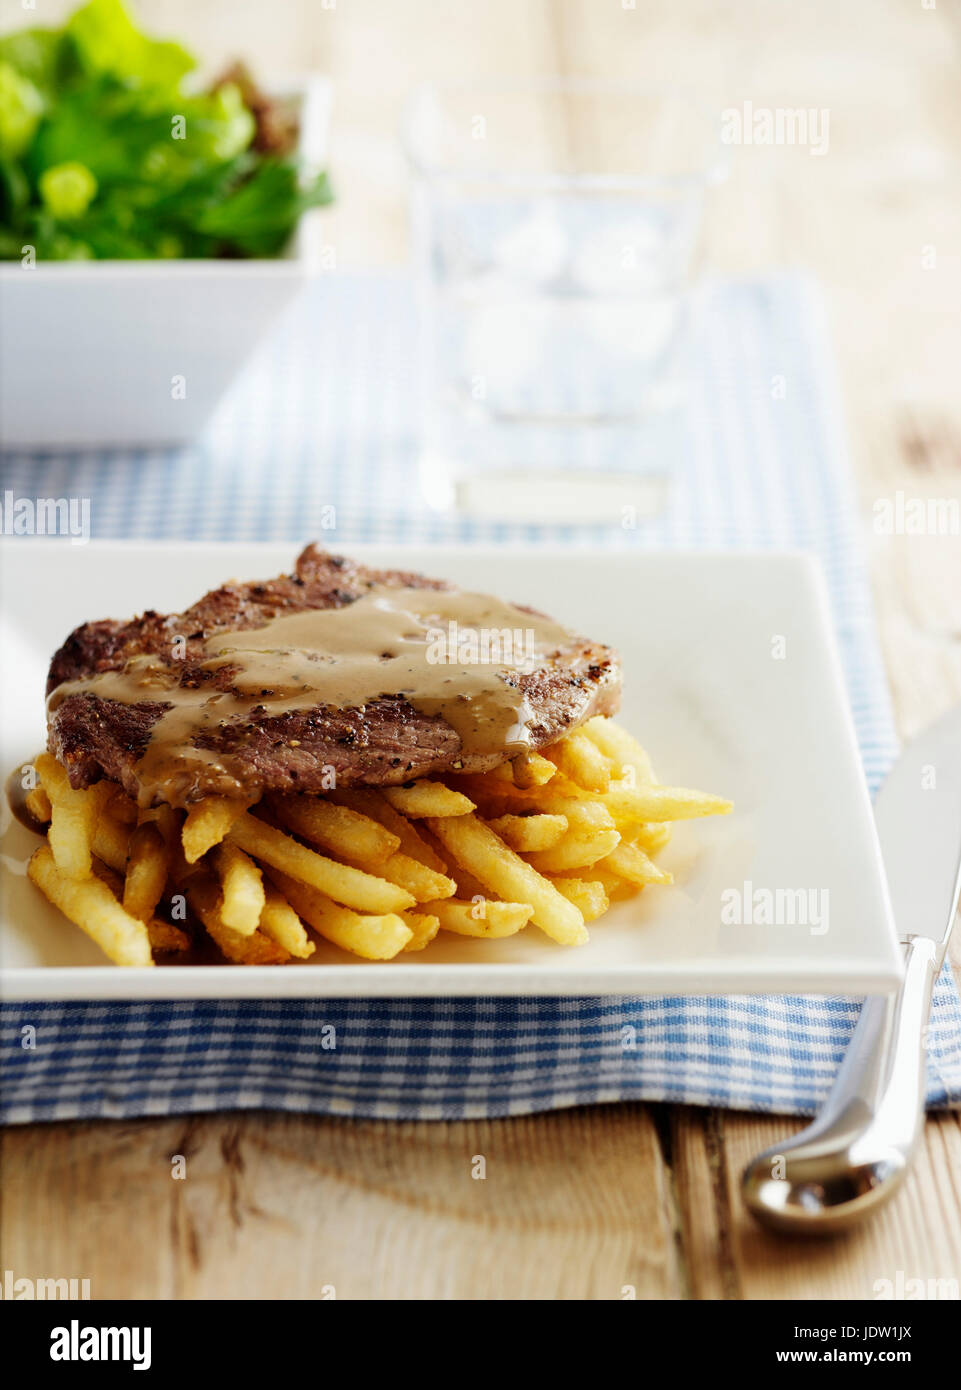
[(326, 416)]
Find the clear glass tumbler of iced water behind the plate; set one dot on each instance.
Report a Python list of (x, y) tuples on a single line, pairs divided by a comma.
[(556, 234)]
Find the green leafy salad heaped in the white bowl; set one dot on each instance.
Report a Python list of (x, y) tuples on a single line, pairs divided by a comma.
[(108, 154)]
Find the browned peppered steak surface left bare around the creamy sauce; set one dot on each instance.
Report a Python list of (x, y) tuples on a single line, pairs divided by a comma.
[(383, 743)]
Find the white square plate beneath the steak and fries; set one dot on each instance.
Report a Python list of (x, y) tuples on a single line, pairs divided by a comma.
[(706, 690)]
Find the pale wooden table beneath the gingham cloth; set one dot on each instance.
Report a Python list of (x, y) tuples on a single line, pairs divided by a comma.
[(606, 1202)]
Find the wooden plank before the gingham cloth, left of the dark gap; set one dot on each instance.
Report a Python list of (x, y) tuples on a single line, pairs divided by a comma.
[(574, 1206)]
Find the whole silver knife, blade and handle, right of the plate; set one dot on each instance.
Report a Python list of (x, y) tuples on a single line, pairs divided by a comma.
[(860, 1147)]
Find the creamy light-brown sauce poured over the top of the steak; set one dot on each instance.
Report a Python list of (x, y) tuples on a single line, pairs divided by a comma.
[(449, 654)]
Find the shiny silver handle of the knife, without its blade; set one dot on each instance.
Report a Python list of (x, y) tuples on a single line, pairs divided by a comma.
[(859, 1149)]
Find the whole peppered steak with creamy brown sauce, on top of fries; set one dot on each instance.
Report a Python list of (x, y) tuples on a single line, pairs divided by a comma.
[(336, 675)]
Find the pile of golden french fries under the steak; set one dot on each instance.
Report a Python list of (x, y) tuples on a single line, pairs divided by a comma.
[(547, 840)]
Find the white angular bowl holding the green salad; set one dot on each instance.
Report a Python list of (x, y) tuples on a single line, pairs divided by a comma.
[(91, 350)]
